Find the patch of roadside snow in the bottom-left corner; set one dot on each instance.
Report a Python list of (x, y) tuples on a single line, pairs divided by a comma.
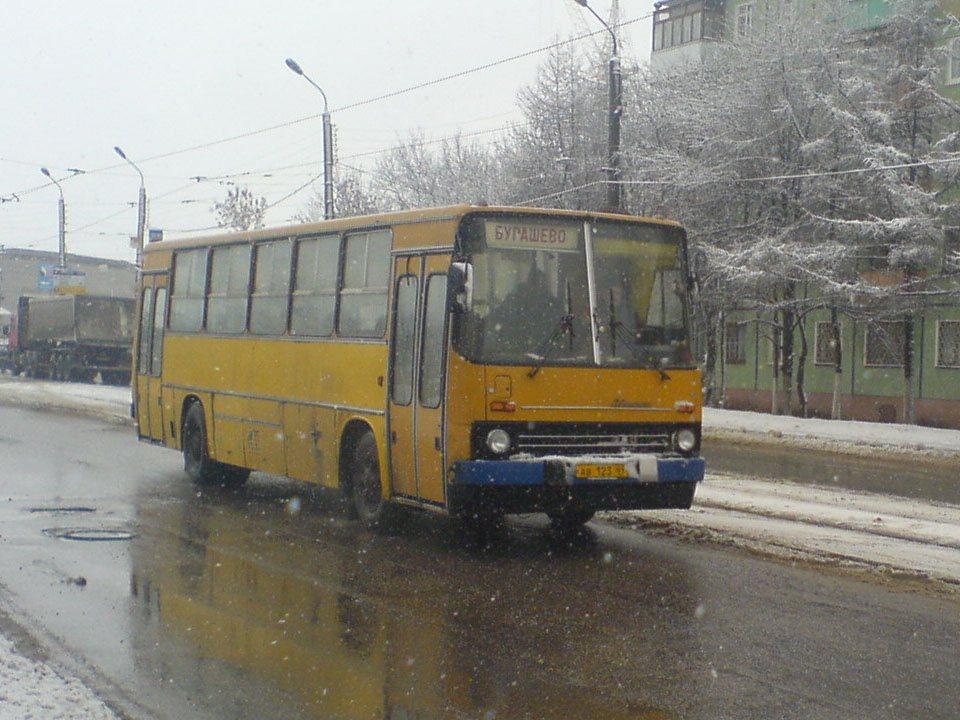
[(30, 690)]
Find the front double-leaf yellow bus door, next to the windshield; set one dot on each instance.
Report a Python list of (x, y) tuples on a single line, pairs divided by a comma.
[(417, 378)]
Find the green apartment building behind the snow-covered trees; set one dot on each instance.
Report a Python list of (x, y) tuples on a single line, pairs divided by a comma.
[(875, 377)]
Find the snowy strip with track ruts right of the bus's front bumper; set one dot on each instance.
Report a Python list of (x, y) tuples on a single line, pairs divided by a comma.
[(890, 535)]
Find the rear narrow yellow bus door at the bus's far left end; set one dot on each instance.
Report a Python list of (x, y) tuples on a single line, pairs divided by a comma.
[(147, 379)]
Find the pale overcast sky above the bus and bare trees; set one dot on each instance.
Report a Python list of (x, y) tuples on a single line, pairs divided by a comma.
[(174, 83)]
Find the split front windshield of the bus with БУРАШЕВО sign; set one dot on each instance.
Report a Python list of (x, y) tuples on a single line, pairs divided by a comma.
[(565, 292)]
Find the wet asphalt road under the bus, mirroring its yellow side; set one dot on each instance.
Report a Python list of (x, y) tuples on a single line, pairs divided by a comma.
[(269, 603)]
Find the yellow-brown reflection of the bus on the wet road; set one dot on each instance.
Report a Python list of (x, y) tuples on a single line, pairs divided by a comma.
[(328, 624)]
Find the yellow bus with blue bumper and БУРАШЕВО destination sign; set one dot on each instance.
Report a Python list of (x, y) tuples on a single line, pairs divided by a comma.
[(469, 360)]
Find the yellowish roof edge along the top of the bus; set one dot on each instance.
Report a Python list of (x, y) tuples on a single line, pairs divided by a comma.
[(359, 222)]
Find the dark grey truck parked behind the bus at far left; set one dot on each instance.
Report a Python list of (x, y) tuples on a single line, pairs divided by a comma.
[(71, 337)]
